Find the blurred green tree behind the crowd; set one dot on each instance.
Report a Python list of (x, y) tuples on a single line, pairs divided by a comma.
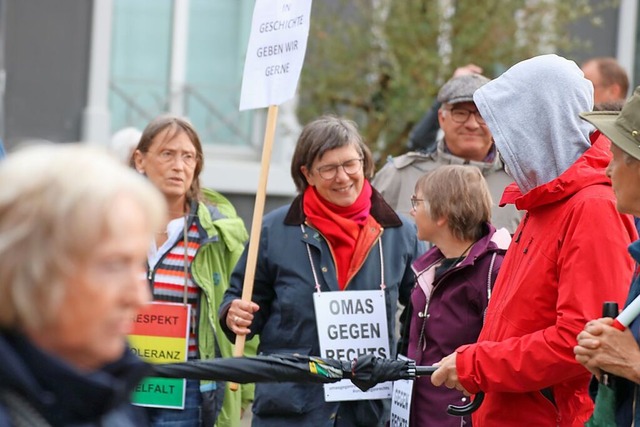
[(381, 62)]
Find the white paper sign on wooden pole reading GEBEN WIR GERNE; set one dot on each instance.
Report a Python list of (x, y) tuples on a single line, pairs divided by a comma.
[(278, 41)]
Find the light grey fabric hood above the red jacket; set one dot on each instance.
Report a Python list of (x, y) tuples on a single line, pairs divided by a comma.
[(532, 110)]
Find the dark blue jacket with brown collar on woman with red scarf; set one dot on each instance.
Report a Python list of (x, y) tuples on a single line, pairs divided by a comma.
[(286, 323)]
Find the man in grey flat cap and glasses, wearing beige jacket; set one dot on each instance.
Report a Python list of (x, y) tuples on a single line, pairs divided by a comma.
[(466, 140)]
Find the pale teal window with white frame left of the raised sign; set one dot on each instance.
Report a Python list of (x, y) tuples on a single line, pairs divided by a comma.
[(192, 68)]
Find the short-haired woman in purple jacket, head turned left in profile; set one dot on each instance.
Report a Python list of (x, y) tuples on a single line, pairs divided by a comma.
[(452, 210)]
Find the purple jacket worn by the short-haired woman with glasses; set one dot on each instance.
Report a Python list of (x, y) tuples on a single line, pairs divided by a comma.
[(454, 306)]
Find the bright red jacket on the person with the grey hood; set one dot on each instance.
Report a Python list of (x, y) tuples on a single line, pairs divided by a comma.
[(568, 256)]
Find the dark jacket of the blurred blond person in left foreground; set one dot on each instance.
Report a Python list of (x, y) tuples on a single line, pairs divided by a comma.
[(45, 388)]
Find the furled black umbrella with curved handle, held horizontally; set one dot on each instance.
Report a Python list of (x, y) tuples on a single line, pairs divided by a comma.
[(364, 372)]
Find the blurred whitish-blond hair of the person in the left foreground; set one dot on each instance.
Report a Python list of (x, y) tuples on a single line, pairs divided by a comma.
[(54, 205)]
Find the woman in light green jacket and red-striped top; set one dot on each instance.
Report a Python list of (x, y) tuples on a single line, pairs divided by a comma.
[(170, 154)]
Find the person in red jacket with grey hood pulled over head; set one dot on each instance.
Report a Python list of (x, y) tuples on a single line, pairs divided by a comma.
[(567, 257)]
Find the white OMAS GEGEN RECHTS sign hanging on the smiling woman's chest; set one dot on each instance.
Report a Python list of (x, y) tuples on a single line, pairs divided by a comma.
[(350, 325)]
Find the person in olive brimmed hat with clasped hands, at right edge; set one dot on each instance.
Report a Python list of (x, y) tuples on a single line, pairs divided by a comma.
[(601, 347)]
